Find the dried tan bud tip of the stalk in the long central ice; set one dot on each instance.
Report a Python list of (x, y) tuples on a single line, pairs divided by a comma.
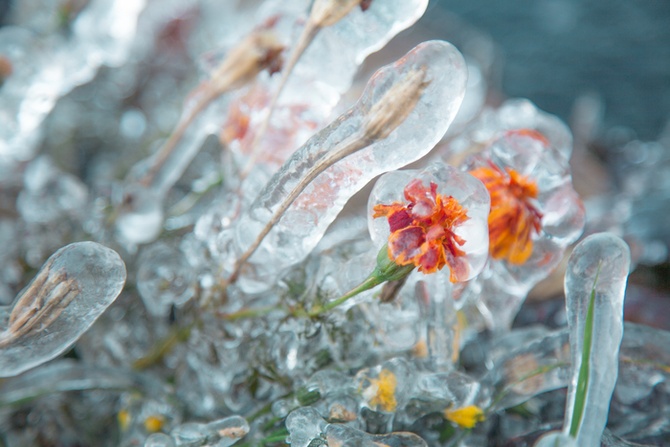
[(395, 105)]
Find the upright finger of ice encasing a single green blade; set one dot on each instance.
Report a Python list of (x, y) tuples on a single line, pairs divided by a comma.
[(595, 284)]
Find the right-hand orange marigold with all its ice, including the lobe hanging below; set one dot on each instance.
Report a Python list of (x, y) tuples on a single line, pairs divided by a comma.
[(546, 219)]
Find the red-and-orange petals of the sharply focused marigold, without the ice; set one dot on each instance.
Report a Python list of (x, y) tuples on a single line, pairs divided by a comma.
[(422, 232)]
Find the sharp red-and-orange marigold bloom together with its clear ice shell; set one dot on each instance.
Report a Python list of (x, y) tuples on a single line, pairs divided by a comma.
[(441, 221)]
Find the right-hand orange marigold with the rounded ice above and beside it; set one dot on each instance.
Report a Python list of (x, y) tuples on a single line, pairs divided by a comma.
[(531, 195)]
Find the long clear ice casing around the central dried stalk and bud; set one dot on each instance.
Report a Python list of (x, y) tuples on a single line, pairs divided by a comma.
[(306, 219)]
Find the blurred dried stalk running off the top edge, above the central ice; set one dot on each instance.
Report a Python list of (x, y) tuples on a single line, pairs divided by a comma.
[(324, 13)]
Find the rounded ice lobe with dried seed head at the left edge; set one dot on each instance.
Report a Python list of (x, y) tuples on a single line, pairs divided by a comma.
[(71, 290)]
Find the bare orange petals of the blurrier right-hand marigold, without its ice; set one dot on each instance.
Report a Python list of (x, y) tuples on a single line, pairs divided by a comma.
[(513, 219)]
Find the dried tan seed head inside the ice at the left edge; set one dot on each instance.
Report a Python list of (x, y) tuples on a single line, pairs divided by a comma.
[(40, 305)]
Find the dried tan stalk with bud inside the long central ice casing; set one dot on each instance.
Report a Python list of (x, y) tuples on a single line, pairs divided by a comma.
[(382, 119)]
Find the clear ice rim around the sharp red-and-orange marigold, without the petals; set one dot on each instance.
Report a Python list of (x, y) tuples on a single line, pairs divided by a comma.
[(469, 192)]
